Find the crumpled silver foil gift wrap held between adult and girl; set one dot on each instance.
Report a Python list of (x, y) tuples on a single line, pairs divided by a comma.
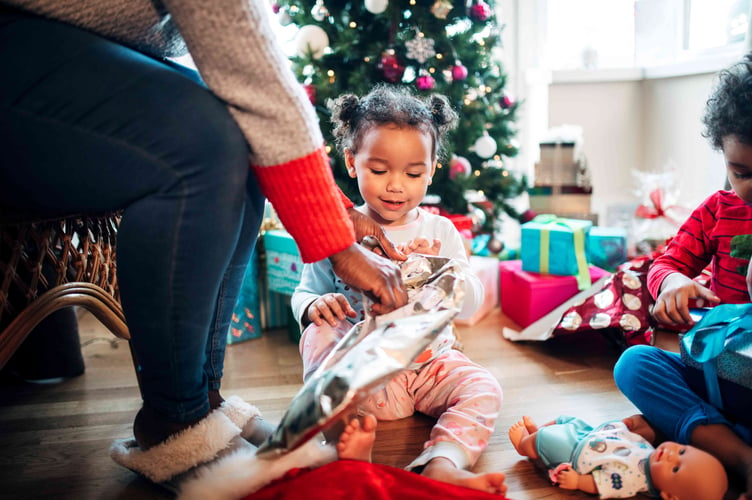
[(373, 352)]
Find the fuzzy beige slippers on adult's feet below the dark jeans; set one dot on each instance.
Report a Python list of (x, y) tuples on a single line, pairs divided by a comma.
[(216, 435)]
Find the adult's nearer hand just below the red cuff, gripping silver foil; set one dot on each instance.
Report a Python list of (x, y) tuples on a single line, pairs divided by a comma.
[(376, 276)]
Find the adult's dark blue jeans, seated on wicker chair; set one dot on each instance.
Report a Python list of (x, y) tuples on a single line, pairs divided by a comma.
[(87, 125)]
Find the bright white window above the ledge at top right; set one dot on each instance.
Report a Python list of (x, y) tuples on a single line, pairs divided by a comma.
[(642, 33)]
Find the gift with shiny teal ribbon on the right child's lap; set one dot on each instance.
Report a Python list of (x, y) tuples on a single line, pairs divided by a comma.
[(720, 345)]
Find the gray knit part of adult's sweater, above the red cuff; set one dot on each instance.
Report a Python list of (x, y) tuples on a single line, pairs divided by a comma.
[(234, 49)]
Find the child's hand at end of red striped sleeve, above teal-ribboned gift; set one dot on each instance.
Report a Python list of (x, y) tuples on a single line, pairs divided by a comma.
[(672, 304)]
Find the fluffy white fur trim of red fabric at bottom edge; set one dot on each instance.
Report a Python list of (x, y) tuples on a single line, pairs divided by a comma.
[(241, 473)]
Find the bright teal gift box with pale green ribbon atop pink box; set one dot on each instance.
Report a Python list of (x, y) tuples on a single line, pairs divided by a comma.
[(555, 245)]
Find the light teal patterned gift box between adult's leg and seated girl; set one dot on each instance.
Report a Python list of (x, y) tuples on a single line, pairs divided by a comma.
[(283, 263)]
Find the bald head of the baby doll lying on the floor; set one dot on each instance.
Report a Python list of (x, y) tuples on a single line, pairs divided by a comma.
[(682, 472)]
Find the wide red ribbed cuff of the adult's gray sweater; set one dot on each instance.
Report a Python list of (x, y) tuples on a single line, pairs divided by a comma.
[(309, 204)]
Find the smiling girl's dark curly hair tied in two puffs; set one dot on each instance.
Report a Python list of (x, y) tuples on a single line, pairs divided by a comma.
[(353, 116)]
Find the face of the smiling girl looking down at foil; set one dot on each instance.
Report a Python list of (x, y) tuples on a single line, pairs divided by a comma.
[(394, 167)]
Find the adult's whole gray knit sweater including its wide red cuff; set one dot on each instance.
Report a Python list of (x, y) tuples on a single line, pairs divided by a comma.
[(235, 50)]
